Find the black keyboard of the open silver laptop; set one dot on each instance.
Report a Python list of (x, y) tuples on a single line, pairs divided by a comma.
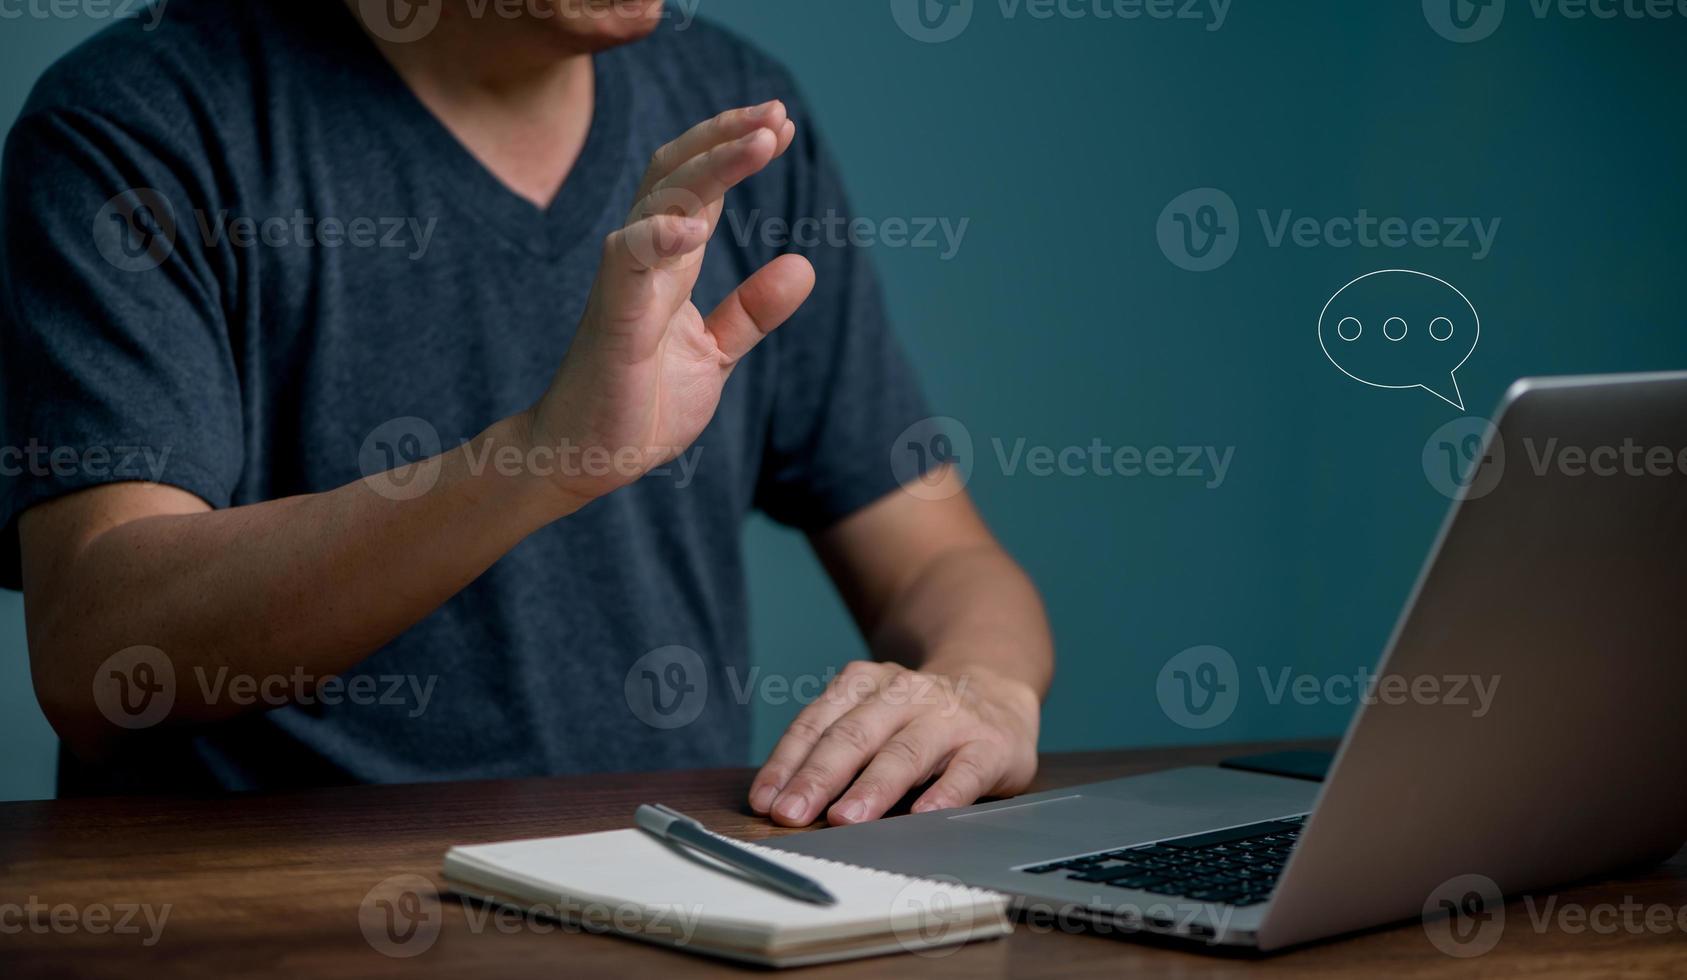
[(1234, 868)]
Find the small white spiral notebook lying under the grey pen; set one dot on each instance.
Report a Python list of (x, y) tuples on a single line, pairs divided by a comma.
[(630, 883)]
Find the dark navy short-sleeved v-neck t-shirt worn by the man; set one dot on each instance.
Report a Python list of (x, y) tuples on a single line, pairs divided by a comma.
[(242, 259)]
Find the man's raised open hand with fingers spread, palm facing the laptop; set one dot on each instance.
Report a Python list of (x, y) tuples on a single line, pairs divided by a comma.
[(645, 370)]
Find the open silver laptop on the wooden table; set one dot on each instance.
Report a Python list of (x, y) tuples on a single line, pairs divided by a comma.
[(1560, 578)]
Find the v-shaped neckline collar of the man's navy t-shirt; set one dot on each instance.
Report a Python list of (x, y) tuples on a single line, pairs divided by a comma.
[(546, 232)]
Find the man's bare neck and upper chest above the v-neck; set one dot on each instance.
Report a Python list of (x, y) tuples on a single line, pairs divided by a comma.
[(509, 90)]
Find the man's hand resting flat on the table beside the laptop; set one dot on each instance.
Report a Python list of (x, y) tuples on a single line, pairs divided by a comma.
[(883, 730)]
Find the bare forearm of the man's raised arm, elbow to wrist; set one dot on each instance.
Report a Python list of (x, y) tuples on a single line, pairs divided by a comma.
[(310, 583)]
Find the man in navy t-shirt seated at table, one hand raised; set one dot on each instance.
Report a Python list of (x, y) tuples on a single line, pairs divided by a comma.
[(568, 390)]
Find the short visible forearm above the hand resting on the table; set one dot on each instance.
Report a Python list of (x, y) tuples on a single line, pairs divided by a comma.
[(969, 608)]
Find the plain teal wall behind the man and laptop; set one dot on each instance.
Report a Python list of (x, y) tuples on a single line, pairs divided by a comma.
[(1060, 321)]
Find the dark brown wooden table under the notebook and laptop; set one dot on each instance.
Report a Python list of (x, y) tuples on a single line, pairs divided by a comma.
[(274, 885)]
